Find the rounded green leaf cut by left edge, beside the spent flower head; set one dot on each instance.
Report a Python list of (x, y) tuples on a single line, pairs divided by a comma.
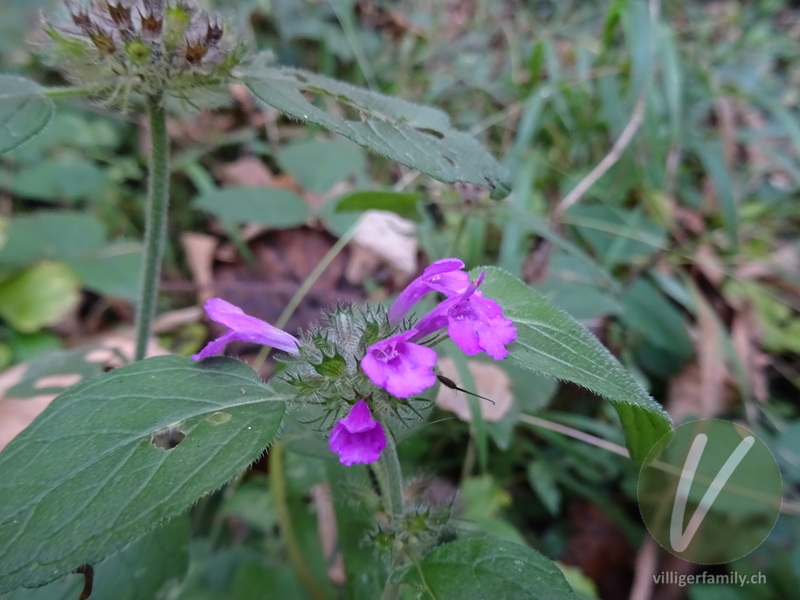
[(24, 111)]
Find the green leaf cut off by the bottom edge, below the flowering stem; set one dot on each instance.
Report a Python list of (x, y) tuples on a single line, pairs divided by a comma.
[(489, 568)]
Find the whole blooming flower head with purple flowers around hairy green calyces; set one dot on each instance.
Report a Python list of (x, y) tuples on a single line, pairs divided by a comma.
[(366, 360)]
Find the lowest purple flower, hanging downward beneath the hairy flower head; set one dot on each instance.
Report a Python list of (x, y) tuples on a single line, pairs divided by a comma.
[(358, 438)]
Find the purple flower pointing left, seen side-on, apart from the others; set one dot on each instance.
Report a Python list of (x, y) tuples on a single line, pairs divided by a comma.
[(244, 328)]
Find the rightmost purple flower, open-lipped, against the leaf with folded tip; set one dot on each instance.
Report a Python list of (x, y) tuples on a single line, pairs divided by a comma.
[(473, 322)]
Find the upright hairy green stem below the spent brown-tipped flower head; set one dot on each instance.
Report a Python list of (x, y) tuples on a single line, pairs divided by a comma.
[(155, 223)]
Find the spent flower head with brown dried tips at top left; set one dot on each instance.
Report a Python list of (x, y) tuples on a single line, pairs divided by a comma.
[(150, 47)]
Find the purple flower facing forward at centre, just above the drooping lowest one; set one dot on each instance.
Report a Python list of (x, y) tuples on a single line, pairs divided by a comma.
[(399, 366)]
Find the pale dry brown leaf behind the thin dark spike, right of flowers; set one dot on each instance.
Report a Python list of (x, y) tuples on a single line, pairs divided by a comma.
[(490, 382)]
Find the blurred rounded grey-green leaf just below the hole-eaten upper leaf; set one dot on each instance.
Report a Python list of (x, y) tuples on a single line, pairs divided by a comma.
[(319, 164)]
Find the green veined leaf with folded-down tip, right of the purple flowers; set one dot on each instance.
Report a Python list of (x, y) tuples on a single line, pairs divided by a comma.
[(549, 341)]
